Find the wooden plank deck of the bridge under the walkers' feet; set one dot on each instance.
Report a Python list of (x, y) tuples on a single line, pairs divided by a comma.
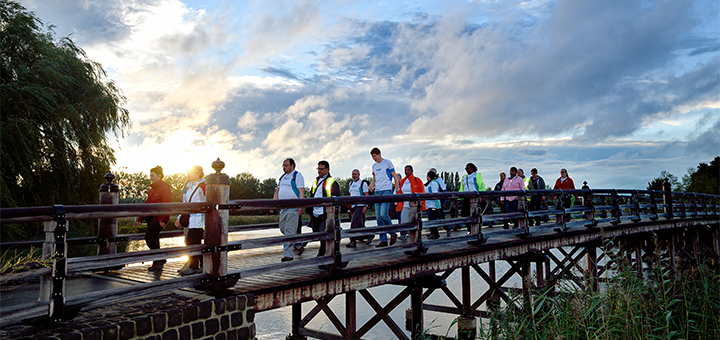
[(303, 284)]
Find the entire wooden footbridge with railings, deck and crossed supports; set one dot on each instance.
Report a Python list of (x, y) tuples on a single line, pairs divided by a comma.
[(639, 222)]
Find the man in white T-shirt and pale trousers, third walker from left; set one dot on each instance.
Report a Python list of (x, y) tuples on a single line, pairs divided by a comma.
[(290, 186)]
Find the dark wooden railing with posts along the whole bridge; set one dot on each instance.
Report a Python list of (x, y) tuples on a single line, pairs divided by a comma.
[(594, 207)]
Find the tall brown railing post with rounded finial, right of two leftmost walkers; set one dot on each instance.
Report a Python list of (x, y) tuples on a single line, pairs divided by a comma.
[(216, 226)]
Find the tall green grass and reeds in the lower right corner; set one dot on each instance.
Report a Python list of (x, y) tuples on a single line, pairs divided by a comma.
[(659, 306)]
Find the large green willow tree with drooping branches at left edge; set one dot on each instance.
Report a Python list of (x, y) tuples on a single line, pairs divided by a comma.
[(58, 110)]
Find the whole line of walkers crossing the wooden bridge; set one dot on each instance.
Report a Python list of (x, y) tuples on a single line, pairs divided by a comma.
[(385, 181)]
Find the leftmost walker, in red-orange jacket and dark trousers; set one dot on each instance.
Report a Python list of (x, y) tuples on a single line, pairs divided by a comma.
[(159, 192)]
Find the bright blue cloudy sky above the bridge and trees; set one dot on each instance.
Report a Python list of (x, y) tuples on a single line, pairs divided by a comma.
[(615, 91)]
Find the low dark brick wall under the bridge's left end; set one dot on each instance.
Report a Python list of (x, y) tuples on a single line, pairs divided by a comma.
[(167, 316)]
